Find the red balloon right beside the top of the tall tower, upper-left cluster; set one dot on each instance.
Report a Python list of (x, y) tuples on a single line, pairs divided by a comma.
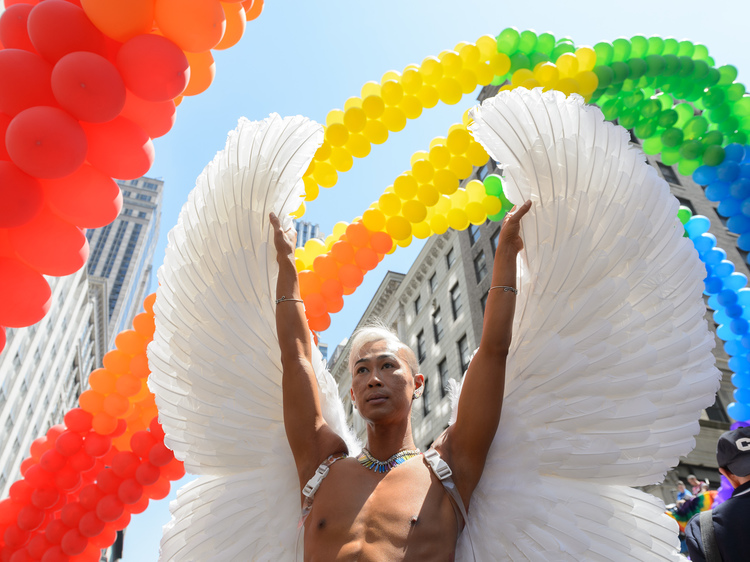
[(86, 198)]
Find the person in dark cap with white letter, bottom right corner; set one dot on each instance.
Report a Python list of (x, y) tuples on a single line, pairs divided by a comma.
[(721, 534)]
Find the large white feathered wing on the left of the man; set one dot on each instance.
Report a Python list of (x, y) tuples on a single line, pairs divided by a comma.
[(215, 361)]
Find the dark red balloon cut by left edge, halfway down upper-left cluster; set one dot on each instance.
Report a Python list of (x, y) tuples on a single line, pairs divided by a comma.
[(21, 196)]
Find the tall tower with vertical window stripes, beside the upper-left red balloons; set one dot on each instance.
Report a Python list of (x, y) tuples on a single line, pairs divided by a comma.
[(120, 262)]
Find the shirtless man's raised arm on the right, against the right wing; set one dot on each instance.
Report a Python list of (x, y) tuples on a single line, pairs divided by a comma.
[(468, 440)]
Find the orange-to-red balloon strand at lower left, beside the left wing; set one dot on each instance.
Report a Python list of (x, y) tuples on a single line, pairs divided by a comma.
[(86, 478)]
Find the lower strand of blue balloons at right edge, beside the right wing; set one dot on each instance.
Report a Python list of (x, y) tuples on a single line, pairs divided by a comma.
[(729, 297)]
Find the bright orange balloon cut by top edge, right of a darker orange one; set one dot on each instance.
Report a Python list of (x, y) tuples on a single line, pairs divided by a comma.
[(194, 25)]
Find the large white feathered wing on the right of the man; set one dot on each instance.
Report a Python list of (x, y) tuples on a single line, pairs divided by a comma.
[(611, 359)]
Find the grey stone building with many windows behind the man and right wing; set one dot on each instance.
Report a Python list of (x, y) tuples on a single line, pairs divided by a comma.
[(437, 308)]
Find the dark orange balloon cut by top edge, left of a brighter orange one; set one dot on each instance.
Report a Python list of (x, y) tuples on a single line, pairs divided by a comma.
[(120, 19)]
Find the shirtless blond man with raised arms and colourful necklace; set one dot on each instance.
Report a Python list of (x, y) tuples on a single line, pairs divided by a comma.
[(403, 513)]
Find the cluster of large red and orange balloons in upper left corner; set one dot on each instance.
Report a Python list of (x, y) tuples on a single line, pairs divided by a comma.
[(86, 86)]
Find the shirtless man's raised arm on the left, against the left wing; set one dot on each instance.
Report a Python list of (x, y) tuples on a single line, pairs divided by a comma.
[(310, 438)]
